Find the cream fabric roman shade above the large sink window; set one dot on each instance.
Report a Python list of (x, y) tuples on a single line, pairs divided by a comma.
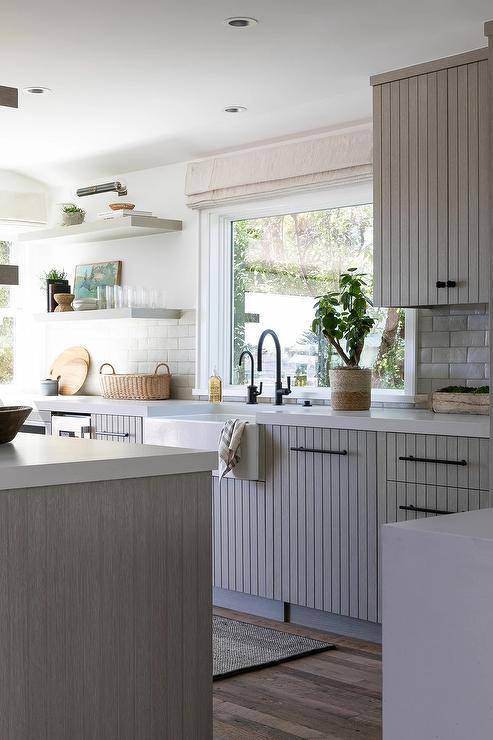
[(272, 170)]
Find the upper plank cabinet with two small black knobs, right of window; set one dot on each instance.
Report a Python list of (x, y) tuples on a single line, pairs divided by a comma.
[(430, 180)]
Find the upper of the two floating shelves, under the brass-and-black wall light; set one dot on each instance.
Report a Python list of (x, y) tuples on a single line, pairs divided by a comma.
[(98, 231)]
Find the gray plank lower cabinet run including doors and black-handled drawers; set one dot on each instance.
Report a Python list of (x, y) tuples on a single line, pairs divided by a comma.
[(310, 534)]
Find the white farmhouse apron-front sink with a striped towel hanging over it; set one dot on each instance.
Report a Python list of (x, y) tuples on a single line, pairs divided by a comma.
[(202, 432)]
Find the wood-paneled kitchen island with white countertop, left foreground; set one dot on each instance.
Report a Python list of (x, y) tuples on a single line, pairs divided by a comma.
[(105, 590)]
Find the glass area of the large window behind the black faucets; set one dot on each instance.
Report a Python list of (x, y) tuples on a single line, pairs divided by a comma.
[(280, 264)]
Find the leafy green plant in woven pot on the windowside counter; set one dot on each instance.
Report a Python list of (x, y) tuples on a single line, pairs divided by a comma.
[(342, 317)]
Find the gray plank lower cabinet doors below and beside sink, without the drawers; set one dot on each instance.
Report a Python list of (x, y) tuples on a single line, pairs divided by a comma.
[(308, 535)]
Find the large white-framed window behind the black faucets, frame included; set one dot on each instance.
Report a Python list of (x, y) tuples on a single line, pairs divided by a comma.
[(266, 266)]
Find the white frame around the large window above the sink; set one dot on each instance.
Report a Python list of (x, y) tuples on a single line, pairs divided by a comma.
[(214, 300)]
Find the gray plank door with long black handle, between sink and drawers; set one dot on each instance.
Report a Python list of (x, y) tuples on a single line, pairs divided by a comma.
[(331, 523)]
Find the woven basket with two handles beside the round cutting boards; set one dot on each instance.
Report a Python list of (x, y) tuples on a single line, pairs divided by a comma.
[(135, 386)]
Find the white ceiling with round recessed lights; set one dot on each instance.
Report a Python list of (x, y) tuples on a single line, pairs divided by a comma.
[(138, 84)]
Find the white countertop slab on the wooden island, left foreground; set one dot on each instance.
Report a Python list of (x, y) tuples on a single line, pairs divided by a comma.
[(35, 460)]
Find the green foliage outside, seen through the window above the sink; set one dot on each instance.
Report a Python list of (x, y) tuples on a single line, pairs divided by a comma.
[(304, 254)]
